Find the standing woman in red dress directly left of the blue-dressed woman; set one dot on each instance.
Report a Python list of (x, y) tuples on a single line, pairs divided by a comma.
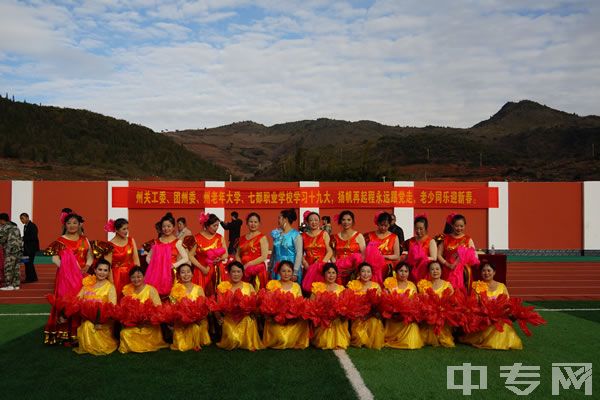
[(253, 251)]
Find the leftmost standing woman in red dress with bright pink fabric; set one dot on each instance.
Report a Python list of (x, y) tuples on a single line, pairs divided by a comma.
[(72, 255)]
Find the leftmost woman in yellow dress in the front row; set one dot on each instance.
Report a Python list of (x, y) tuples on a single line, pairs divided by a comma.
[(97, 339)]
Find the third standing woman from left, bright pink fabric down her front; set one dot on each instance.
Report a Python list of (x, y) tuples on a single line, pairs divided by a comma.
[(166, 254)]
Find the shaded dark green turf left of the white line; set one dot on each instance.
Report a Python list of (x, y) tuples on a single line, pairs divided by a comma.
[(33, 370)]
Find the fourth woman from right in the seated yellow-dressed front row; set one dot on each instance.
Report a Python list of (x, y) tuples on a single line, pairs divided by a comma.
[(370, 332)]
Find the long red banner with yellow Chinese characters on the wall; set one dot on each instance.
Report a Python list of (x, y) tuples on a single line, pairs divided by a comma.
[(355, 197)]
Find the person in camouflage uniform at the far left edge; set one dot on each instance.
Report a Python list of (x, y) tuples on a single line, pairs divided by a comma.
[(11, 242)]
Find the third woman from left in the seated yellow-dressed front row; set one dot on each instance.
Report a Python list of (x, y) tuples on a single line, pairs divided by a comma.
[(190, 336)]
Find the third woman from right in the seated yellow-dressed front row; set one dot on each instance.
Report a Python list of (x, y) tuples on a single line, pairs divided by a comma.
[(398, 334)]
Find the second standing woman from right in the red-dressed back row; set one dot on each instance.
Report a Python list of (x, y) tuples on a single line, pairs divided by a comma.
[(421, 248)]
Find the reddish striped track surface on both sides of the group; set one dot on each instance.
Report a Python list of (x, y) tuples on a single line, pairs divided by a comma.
[(528, 280)]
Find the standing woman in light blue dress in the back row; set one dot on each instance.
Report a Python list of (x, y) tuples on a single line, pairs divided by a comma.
[(287, 245)]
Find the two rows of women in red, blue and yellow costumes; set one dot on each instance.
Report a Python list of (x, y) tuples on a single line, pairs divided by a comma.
[(302, 264)]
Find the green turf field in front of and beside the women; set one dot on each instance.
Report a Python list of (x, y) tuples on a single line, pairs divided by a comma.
[(33, 371)]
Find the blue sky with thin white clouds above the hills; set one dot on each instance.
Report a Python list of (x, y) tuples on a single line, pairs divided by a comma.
[(194, 64)]
